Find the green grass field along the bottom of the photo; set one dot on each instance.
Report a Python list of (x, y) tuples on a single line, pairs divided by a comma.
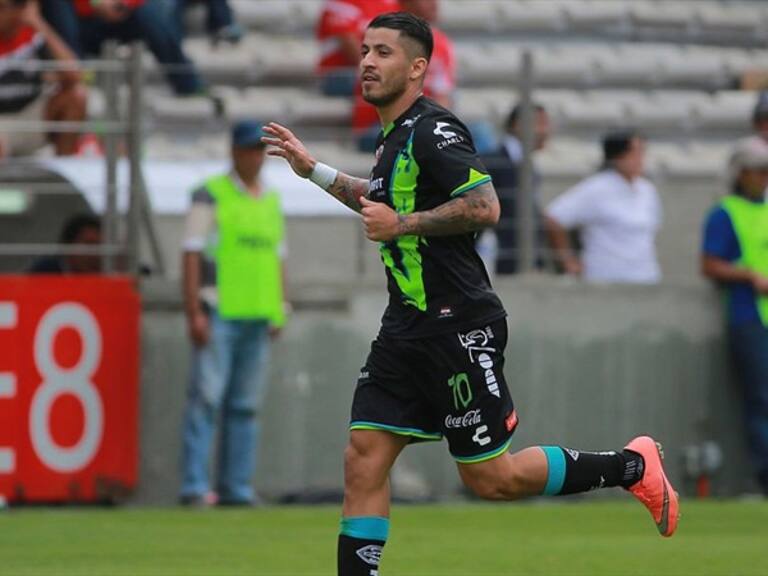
[(723, 538)]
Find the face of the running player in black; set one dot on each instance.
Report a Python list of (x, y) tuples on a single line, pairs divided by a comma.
[(384, 67)]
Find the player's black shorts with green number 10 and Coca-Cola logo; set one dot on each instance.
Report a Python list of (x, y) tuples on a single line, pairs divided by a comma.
[(448, 385)]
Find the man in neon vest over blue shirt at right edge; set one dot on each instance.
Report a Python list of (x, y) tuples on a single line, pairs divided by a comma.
[(735, 255)]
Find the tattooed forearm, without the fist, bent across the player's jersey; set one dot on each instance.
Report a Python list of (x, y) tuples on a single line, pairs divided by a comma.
[(469, 212)]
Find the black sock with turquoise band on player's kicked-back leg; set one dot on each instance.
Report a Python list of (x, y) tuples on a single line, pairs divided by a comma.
[(573, 471)]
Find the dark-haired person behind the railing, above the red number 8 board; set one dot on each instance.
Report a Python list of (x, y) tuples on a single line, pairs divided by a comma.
[(81, 230)]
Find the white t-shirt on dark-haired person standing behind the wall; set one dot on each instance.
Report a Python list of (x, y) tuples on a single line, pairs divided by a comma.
[(619, 221)]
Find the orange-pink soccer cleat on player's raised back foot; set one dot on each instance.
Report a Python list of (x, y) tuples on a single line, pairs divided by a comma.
[(654, 489)]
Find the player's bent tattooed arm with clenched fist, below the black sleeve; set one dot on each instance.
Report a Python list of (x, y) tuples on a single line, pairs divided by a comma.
[(472, 211)]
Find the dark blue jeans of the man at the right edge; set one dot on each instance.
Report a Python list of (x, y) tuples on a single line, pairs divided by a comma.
[(749, 350)]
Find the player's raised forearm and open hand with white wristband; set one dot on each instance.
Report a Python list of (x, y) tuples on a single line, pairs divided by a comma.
[(346, 189)]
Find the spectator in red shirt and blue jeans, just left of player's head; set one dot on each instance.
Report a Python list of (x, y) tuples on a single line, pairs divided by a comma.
[(339, 33)]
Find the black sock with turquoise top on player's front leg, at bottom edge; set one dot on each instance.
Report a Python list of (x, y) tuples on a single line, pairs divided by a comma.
[(360, 545)]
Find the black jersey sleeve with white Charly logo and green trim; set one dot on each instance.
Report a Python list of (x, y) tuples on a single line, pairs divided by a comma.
[(444, 150)]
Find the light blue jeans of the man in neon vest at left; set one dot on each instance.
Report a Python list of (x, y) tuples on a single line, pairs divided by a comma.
[(228, 381)]
